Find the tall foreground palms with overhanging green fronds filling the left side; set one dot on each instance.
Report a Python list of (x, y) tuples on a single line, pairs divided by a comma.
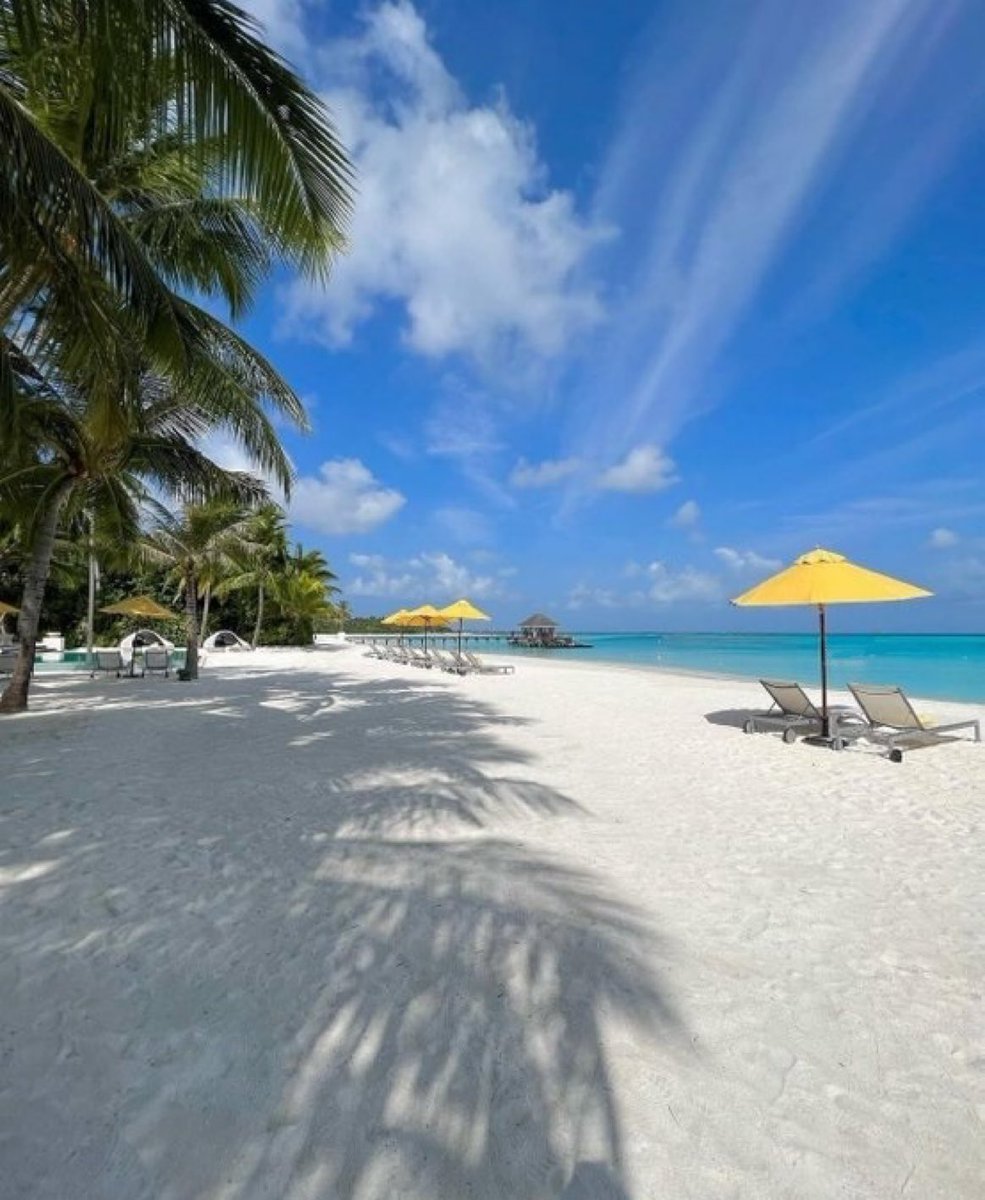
[(153, 155)]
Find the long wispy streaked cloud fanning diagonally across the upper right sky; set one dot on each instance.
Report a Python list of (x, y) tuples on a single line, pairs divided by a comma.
[(767, 106)]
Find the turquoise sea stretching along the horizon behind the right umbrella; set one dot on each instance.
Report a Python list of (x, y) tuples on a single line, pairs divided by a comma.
[(945, 667)]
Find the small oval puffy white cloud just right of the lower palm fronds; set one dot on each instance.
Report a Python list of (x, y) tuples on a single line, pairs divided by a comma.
[(344, 499)]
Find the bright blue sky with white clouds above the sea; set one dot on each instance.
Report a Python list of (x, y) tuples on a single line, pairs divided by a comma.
[(641, 303)]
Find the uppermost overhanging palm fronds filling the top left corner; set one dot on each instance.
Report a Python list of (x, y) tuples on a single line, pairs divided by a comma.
[(82, 83)]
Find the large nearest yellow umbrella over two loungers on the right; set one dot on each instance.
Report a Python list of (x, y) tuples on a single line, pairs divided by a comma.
[(822, 578)]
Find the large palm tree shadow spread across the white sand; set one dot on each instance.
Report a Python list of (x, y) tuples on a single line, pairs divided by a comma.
[(259, 975)]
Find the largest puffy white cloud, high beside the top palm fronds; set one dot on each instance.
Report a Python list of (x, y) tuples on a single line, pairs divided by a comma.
[(454, 220)]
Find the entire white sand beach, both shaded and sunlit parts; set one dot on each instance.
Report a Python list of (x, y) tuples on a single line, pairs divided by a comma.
[(321, 927)]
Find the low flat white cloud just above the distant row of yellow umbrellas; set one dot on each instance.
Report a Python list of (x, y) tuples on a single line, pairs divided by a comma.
[(434, 578)]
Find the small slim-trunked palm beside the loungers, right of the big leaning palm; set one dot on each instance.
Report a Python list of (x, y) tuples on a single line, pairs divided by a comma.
[(195, 544)]
